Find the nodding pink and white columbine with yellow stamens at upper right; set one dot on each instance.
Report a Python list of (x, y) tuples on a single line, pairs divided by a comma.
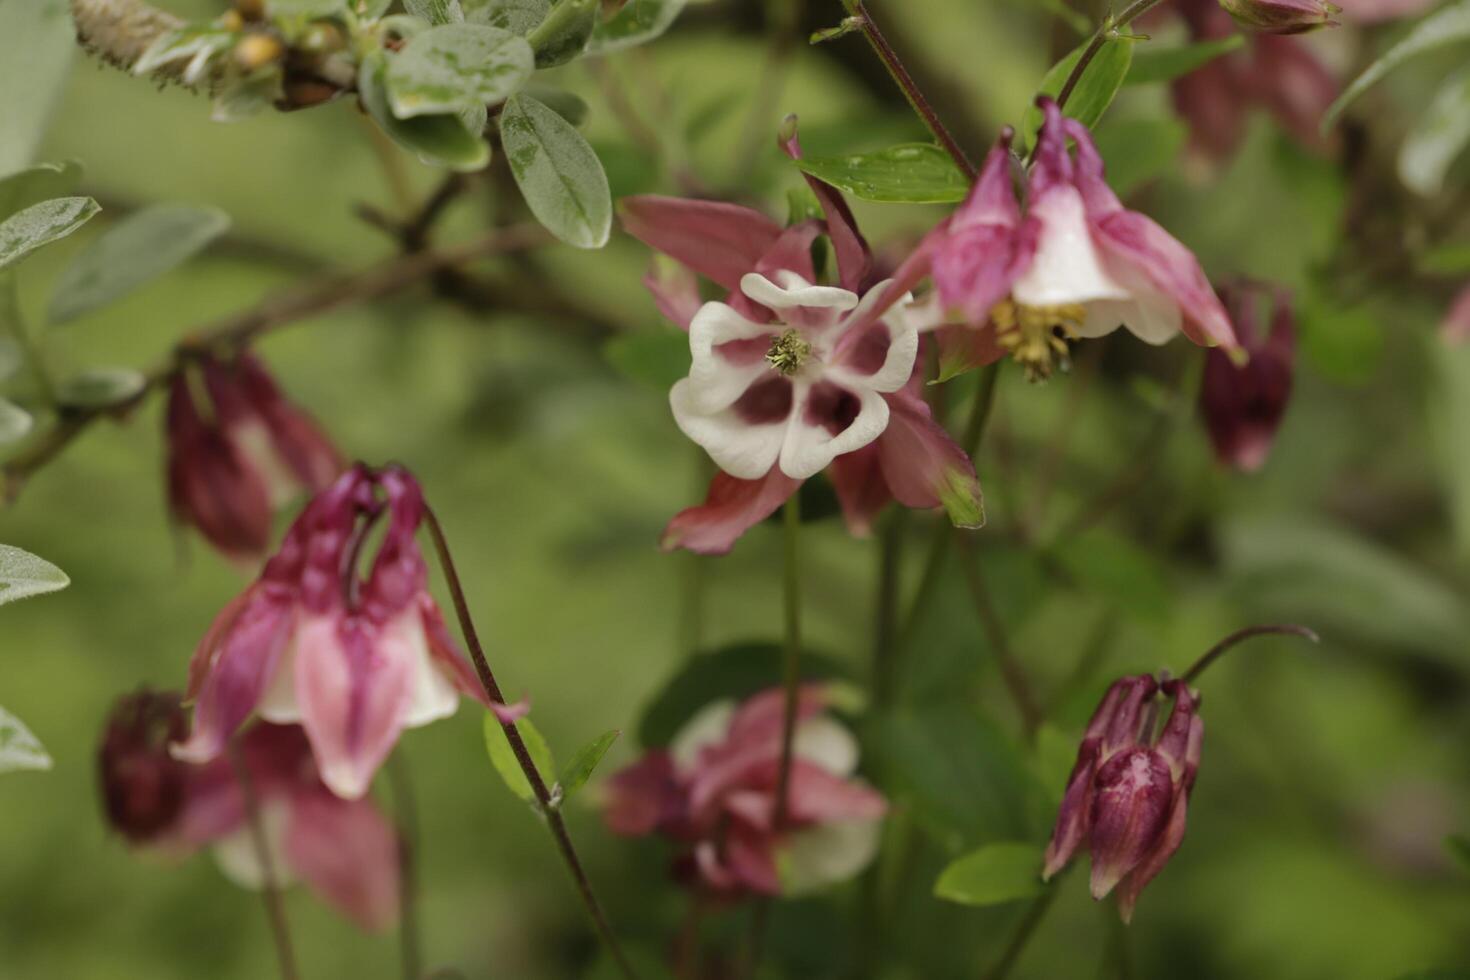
[(1075, 264)]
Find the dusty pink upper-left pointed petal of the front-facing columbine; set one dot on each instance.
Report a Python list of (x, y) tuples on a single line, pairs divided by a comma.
[(718, 240)]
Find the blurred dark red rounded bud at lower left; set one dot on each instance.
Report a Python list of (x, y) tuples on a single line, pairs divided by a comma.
[(142, 784)]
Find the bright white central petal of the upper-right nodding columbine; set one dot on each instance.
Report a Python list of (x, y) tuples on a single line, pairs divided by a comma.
[(1066, 267)]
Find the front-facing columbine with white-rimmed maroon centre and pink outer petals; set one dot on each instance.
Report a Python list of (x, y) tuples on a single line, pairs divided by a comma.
[(790, 377)]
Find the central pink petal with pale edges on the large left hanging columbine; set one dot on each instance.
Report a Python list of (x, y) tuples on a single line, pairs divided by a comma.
[(354, 688)]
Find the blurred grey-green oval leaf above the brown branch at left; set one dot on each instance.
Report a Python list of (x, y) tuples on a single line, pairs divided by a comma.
[(140, 248)]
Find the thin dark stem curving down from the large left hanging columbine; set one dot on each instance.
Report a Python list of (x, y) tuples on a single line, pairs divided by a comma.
[(518, 747)]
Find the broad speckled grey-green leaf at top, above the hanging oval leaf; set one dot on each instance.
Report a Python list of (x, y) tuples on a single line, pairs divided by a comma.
[(456, 67)]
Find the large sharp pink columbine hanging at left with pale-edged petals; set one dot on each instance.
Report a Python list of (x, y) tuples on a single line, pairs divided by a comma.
[(355, 660)]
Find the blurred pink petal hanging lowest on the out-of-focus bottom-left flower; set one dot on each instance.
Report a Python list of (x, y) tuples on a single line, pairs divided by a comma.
[(348, 853)]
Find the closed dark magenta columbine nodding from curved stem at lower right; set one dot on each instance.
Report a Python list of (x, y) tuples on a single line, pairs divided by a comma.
[(1130, 793)]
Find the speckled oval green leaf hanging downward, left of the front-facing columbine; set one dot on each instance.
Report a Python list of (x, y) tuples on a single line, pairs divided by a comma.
[(558, 173)]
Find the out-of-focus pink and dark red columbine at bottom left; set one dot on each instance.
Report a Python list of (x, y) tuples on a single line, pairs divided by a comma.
[(346, 851)]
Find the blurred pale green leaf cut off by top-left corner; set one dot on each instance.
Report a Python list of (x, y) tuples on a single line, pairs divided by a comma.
[(37, 40)]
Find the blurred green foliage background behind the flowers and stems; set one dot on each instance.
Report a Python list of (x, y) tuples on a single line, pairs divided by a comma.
[(1331, 778)]
